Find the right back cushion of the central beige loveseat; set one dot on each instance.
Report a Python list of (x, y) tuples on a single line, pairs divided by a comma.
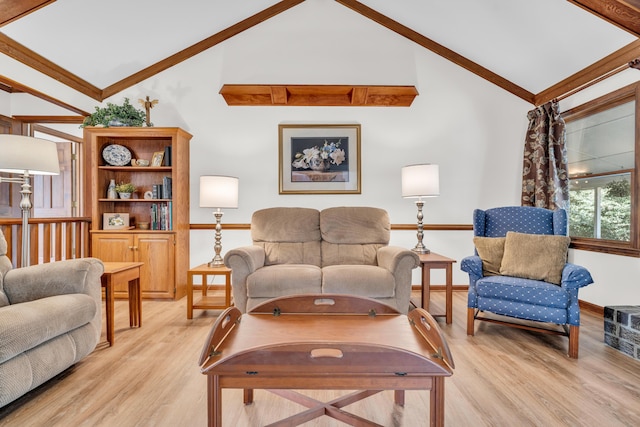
[(352, 234)]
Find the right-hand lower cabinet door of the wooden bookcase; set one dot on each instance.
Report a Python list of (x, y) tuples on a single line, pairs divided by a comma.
[(156, 251)]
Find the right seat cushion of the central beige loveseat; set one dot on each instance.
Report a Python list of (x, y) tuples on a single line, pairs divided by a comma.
[(362, 280)]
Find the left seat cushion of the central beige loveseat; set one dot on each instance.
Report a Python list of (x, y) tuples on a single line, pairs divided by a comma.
[(284, 279)]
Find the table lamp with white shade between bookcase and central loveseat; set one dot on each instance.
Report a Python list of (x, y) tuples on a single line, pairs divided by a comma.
[(218, 192)]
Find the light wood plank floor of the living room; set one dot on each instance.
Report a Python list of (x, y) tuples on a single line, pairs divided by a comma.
[(503, 377)]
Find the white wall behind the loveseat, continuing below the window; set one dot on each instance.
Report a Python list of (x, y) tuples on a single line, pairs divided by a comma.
[(470, 127)]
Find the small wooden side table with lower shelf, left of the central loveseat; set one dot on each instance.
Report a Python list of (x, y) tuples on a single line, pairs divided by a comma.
[(207, 302)]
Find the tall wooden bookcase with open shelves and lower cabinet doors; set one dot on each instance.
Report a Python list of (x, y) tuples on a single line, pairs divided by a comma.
[(165, 253)]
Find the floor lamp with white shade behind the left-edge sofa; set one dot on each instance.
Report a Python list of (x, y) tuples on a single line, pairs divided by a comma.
[(26, 156)]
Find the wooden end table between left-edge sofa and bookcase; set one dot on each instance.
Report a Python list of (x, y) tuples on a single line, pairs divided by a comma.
[(121, 272)]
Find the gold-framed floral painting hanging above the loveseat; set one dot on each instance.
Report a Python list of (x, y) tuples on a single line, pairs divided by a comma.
[(319, 159)]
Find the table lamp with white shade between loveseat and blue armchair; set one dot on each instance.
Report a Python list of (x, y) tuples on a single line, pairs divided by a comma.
[(420, 181)]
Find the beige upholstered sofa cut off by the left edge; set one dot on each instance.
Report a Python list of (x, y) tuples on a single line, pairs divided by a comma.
[(50, 318)]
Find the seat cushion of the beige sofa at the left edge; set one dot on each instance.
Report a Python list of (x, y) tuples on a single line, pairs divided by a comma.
[(28, 324)]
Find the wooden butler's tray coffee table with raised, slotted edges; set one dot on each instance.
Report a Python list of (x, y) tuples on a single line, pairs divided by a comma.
[(331, 342)]
